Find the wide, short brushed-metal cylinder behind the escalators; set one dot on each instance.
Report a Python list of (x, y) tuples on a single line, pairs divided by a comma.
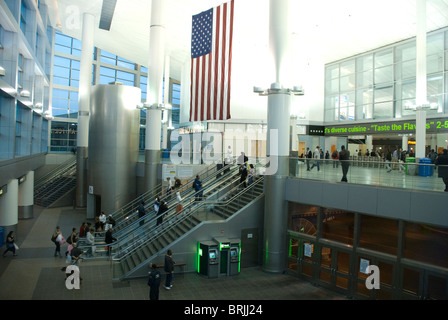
[(113, 143)]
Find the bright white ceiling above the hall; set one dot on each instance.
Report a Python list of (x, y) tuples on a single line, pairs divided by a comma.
[(325, 30)]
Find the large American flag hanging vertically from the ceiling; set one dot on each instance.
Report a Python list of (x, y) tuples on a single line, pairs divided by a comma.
[(211, 61)]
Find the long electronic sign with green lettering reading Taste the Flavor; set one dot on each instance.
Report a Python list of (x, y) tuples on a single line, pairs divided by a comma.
[(438, 125)]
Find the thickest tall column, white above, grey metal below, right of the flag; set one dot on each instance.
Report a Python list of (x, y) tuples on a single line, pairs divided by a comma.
[(279, 104)]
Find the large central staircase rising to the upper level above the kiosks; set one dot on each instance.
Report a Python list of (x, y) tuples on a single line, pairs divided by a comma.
[(140, 247)]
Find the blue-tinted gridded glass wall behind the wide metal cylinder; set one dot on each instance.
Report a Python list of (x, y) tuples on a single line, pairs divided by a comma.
[(107, 68)]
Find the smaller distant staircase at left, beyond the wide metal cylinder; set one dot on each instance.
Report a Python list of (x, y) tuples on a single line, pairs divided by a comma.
[(55, 184)]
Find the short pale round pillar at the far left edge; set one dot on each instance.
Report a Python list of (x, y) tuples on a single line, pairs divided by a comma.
[(9, 217)]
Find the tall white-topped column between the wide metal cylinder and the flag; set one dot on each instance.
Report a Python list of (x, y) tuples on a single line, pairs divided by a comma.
[(155, 89)]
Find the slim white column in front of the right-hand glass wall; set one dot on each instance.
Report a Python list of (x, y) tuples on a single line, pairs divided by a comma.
[(421, 82)]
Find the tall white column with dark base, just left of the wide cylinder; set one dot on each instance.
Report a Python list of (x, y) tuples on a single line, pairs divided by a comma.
[(85, 80)]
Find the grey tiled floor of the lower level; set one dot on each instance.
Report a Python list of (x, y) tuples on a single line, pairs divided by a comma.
[(35, 274)]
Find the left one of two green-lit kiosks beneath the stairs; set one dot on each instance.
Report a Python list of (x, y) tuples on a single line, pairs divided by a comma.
[(208, 259)]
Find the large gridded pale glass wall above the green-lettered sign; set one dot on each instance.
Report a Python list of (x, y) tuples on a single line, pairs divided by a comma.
[(382, 84)]
